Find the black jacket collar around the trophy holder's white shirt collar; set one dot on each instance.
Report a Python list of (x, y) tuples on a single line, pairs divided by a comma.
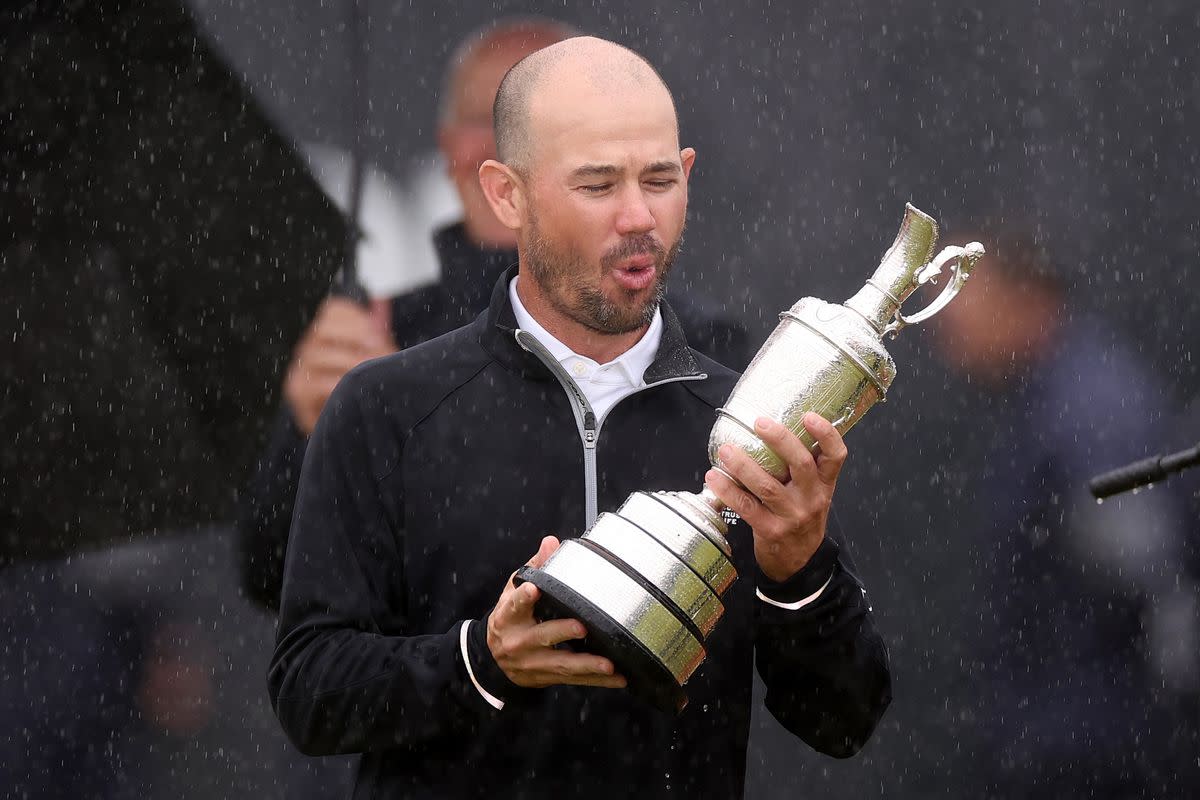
[(674, 359)]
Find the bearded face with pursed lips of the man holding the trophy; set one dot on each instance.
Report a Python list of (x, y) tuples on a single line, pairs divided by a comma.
[(608, 199)]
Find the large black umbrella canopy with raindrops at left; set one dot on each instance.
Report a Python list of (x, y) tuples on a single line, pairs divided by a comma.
[(163, 250)]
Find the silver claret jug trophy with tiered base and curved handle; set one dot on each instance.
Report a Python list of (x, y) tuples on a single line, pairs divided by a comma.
[(647, 580)]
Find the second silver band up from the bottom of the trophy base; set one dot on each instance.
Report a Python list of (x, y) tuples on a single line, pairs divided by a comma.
[(647, 557)]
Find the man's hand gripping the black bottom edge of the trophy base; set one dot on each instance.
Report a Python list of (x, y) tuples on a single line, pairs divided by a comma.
[(525, 648)]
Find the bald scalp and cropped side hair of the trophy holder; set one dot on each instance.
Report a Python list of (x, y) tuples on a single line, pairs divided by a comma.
[(568, 73)]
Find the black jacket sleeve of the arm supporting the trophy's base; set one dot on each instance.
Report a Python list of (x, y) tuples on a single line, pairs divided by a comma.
[(347, 675)]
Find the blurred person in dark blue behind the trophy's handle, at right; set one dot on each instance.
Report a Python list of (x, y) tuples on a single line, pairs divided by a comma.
[(1077, 605)]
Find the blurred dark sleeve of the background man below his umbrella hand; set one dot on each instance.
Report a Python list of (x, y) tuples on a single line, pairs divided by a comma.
[(267, 513)]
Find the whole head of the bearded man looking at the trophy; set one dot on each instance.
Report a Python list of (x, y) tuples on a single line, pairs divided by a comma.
[(593, 182)]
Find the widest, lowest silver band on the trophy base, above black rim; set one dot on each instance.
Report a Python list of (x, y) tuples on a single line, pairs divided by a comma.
[(629, 605)]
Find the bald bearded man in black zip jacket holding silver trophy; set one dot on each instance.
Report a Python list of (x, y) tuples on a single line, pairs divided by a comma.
[(435, 473)]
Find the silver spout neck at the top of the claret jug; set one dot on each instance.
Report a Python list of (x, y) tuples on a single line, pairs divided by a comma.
[(896, 279)]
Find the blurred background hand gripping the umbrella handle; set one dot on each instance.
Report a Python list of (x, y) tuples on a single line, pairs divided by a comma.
[(343, 336)]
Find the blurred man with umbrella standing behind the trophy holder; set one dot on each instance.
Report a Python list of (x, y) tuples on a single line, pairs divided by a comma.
[(472, 255)]
